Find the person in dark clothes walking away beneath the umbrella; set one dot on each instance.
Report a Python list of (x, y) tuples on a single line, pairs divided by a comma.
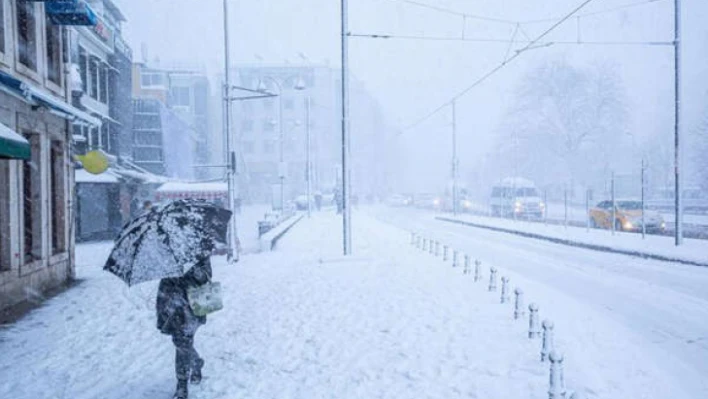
[(176, 318)]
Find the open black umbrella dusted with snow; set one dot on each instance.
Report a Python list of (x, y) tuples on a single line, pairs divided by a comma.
[(168, 241)]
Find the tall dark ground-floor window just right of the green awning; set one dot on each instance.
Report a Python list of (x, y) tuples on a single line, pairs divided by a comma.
[(32, 201)]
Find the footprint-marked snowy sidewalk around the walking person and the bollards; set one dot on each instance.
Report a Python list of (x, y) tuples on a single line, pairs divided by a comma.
[(304, 322)]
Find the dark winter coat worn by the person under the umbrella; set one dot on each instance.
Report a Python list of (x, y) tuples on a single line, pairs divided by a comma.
[(174, 315)]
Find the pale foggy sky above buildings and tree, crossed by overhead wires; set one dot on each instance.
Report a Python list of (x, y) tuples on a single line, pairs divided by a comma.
[(413, 77)]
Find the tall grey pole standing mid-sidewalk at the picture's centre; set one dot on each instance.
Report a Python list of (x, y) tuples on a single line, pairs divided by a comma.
[(346, 210)]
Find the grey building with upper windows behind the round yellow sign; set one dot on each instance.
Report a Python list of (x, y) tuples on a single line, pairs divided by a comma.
[(102, 64)]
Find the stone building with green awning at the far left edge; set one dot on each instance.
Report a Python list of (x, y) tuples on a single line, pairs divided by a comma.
[(36, 212)]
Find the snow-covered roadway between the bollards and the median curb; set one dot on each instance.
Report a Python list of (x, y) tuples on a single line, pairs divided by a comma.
[(664, 305)]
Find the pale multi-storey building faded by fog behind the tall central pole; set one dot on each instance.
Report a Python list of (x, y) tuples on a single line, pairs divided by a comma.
[(258, 135)]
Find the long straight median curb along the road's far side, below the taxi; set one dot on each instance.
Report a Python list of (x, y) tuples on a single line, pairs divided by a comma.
[(579, 244)]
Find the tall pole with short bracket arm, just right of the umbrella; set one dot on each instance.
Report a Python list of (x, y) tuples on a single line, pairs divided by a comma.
[(230, 153)]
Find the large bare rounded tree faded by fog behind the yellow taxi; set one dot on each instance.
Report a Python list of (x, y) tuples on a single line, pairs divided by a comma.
[(568, 124)]
